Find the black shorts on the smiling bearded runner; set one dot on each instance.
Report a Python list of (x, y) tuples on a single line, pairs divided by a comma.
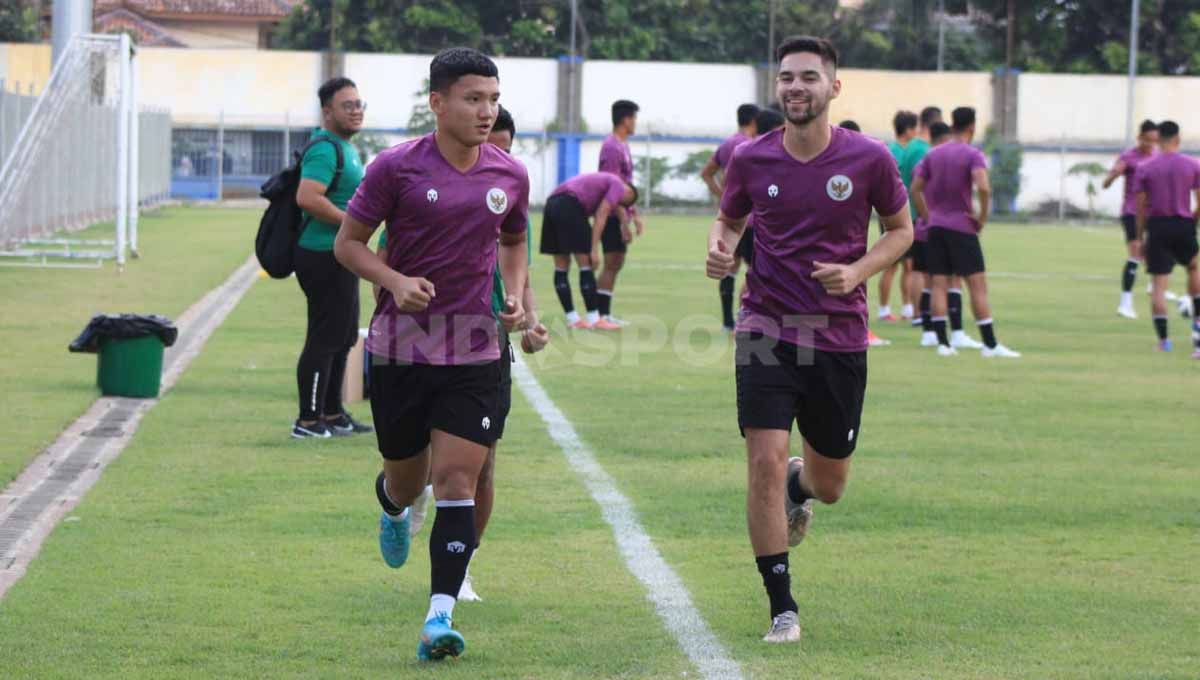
[(821, 392)]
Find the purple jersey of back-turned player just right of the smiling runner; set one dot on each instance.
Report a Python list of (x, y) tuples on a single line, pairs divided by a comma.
[(947, 171)]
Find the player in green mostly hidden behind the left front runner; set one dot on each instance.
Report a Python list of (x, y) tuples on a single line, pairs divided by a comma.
[(532, 340)]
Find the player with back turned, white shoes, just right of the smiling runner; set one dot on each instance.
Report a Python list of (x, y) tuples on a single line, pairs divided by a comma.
[(943, 194)]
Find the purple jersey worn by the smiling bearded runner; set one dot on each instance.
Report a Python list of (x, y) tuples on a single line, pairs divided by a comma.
[(806, 213)]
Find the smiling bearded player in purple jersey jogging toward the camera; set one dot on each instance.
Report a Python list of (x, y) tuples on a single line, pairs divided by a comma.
[(802, 333)]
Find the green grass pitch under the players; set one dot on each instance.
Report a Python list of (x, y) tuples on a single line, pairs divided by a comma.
[(1035, 519)]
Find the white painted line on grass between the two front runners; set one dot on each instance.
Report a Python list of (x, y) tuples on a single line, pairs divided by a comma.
[(664, 587)]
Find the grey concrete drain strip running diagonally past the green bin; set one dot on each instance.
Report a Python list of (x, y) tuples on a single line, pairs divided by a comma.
[(57, 480)]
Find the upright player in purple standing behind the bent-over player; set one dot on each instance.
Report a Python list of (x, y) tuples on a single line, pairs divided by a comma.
[(617, 159)]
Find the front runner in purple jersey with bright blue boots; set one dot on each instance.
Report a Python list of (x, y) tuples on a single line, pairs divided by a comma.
[(436, 372)]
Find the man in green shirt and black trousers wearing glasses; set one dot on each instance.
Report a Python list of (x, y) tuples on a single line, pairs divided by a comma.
[(331, 173)]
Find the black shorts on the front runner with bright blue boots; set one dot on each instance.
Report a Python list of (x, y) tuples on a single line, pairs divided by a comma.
[(410, 401)]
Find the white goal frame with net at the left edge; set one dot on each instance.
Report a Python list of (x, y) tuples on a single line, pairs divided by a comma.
[(75, 161)]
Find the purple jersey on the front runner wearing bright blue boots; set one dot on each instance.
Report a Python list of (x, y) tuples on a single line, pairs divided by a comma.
[(443, 226)]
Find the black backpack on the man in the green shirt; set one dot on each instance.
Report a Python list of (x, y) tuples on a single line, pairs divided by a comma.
[(284, 221)]
